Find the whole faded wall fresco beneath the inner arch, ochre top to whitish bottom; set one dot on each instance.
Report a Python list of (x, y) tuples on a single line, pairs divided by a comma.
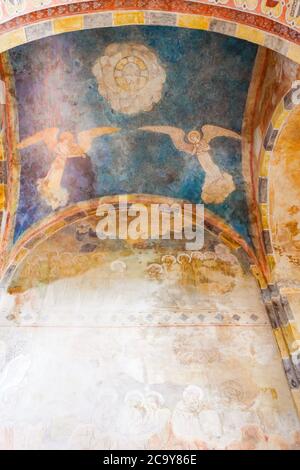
[(182, 358)]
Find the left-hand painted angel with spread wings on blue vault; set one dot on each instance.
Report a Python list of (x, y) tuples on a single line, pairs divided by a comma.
[(63, 146)]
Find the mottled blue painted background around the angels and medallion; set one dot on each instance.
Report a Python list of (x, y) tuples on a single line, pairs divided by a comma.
[(207, 81)]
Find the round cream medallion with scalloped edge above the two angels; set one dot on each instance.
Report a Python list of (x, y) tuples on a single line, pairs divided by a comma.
[(130, 76)]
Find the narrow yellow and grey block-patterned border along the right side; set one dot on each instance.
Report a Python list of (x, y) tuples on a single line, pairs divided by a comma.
[(282, 319)]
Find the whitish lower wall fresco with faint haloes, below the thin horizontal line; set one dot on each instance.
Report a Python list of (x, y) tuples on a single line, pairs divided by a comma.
[(159, 388)]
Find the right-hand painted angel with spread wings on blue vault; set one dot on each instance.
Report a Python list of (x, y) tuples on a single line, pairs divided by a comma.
[(217, 184)]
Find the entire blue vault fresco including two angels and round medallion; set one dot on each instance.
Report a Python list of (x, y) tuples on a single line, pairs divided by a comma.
[(146, 110)]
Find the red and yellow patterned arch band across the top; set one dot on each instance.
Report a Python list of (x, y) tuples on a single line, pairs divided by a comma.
[(73, 17)]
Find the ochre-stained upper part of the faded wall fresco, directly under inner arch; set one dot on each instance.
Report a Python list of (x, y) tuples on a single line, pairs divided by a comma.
[(76, 249)]
